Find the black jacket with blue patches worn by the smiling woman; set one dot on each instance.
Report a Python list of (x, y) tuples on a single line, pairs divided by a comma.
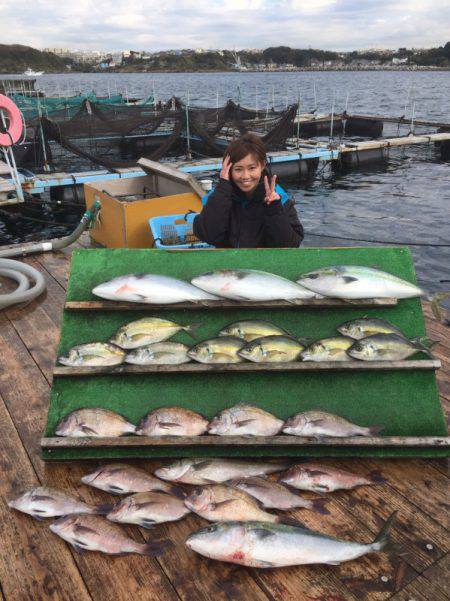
[(230, 220)]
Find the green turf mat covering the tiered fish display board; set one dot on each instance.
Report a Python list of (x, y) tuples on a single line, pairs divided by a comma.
[(405, 402)]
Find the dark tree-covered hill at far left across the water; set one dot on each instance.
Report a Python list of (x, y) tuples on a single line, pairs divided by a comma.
[(16, 58)]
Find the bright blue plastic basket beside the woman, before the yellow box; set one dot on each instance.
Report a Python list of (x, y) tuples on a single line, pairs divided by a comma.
[(175, 231)]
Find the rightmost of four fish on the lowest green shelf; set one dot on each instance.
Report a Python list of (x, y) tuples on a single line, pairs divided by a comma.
[(320, 423)]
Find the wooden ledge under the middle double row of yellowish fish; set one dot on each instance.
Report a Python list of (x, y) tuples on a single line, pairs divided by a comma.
[(249, 367)]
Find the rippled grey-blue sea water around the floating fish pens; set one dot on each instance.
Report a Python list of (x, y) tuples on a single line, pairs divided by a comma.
[(405, 199)]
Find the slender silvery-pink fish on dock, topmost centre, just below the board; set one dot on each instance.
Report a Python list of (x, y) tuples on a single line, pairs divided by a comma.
[(215, 471)]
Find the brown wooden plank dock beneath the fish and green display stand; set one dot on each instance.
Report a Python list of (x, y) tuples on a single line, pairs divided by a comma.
[(36, 565)]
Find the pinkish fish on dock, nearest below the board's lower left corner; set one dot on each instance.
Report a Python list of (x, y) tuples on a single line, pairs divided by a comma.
[(122, 479)]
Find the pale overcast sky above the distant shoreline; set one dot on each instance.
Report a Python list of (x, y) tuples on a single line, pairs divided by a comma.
[(158, 25)]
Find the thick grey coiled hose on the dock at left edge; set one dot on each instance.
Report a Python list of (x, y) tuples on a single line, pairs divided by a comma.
[(30, 281)]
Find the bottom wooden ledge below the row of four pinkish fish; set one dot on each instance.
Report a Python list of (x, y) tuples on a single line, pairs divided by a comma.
[(62, 442)]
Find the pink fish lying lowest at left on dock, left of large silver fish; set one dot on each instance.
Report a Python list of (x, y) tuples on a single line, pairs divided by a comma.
[(93, 533)]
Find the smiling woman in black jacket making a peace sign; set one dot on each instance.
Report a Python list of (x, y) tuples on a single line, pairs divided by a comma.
[(246, 209)]
